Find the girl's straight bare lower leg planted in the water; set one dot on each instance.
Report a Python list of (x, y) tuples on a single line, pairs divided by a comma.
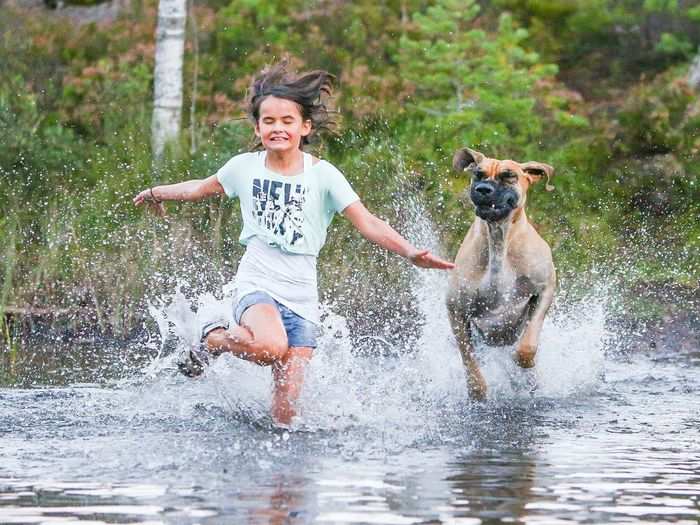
[(288, 378)]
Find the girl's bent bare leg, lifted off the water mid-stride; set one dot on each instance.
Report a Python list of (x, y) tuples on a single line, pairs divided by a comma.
[(260, 337)]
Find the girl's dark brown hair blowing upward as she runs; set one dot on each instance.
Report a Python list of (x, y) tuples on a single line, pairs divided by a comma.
[(310, 91)]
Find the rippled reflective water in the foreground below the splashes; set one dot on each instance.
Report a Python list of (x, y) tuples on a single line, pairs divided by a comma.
[(166, 451)]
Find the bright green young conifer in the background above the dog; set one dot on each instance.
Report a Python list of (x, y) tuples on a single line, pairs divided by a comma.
[(470, 86)]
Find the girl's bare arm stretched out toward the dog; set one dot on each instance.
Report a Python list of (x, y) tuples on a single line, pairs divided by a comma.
[(376, 230)]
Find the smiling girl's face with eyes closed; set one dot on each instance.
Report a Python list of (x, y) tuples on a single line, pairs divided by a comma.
[(281, 126)]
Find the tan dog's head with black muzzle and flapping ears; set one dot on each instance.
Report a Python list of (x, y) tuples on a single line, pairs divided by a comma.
[(499, 187)]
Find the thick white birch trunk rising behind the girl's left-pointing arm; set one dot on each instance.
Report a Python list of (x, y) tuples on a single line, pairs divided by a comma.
[(167, 97)]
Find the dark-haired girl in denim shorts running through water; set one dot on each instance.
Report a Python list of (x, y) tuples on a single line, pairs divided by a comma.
[(287, 199)]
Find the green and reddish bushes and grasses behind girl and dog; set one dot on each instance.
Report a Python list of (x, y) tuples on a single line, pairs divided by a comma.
[(596, 88)]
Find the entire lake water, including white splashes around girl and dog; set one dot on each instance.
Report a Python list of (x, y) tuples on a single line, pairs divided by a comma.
[(599, 433)]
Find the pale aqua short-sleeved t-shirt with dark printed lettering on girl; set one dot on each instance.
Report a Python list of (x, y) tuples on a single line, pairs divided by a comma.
[(290, 212)]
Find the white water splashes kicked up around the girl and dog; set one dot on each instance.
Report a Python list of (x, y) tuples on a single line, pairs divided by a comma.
[(389, 391)]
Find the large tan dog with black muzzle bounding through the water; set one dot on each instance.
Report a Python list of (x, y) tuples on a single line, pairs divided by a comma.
[(504, 279)]
